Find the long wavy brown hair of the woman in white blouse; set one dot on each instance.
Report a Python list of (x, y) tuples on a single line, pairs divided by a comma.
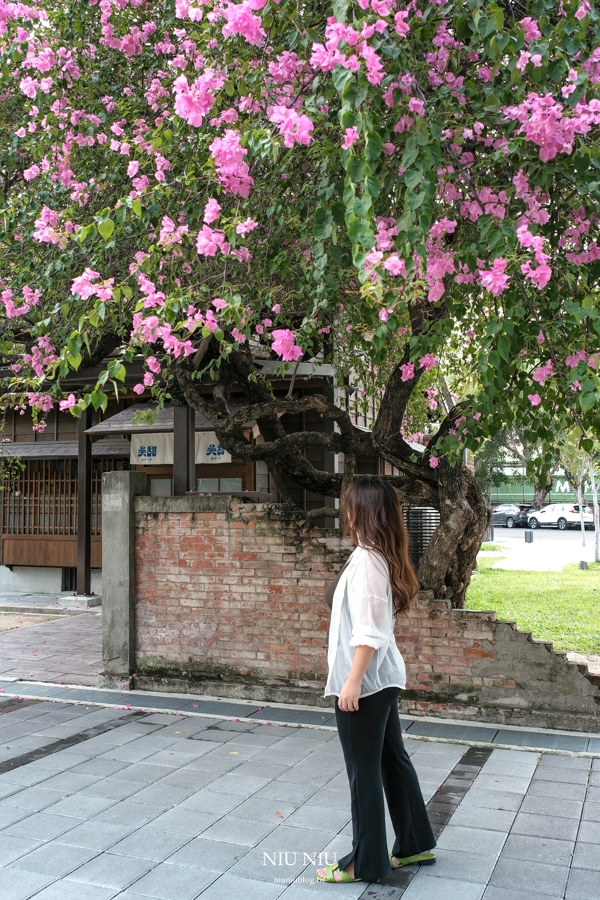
[(373, 519)]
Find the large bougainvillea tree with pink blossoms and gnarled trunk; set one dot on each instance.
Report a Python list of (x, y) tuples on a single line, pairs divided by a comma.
[(375, 183)]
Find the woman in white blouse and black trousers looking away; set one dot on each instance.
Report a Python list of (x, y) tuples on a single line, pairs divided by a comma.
[(366, 674)]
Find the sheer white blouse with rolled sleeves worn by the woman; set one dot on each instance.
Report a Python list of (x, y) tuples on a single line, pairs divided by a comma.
[(362, 613)]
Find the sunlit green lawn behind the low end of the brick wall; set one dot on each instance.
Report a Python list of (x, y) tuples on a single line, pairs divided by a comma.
[(562, 607)]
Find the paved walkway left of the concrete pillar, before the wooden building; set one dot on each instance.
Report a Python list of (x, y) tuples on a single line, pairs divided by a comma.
[(67, 650)]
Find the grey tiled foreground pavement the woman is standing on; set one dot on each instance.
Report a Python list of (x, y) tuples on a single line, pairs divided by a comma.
[(99, 803)]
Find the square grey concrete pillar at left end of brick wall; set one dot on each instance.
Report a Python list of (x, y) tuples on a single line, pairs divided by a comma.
[(118, 576)]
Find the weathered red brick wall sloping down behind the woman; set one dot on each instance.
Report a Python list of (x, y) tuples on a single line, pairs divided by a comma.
[(229, 602)]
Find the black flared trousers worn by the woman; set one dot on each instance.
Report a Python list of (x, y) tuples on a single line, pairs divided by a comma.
[(377, 761)]
